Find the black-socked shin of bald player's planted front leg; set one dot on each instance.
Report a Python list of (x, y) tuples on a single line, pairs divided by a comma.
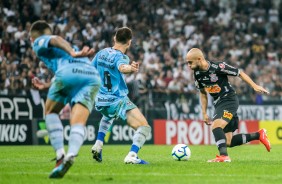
[(220, 140)]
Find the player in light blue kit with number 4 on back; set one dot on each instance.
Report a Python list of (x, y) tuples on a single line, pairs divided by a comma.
[(112, 100)]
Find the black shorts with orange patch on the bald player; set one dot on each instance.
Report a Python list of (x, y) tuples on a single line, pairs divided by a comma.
[(226, 109)]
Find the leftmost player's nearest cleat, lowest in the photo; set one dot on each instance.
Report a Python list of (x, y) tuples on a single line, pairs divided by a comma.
[(61, 170)]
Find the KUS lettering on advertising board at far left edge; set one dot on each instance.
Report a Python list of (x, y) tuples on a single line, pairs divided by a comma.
[(13, 133)]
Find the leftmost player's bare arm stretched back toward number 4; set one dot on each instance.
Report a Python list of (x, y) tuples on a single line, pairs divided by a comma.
[(59, 42)]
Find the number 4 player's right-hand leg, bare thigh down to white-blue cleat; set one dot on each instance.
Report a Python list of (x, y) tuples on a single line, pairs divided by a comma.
[(136, 120)]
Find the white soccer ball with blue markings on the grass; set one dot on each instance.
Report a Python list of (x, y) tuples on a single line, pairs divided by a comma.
[(181, 152)]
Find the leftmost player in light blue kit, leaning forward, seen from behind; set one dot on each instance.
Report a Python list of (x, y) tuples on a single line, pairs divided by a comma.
[(76, 82)]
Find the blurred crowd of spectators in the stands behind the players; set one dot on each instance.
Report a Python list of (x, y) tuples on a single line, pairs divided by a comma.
[(245, 33)]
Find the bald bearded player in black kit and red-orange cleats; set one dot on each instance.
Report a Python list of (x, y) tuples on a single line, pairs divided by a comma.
[(211, 77)]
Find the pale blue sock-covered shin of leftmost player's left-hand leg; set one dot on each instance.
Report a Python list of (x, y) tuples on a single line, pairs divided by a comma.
[(55, 131)]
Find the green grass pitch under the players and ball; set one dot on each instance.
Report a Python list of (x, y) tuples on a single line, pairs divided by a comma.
[(250, 164)]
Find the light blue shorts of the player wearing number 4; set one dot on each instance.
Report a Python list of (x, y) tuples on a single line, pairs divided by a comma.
[(118, 109)]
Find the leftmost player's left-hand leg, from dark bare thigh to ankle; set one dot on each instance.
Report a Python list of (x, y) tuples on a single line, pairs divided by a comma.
[(55, 128)]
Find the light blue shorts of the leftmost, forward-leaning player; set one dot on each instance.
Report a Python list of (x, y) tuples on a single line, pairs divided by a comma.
[(75, 84)]
